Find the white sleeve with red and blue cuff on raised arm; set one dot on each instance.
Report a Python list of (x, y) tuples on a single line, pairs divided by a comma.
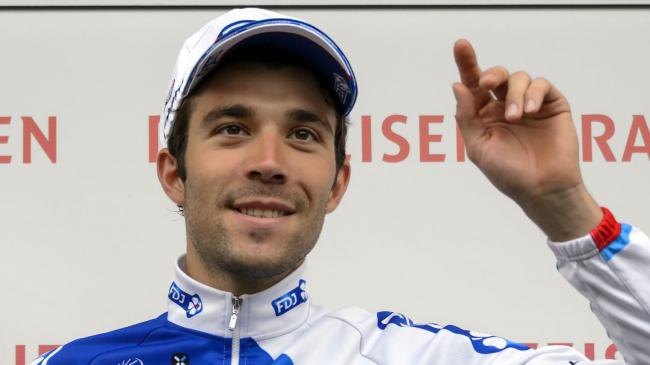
[(611, 268)]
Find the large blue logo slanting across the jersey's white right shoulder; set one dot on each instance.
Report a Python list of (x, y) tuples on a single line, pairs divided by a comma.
[(483, 344)]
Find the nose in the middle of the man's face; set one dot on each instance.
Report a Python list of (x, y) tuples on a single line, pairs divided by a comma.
[(266, 160)]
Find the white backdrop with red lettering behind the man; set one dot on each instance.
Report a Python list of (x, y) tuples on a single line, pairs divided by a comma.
[(88, 242)]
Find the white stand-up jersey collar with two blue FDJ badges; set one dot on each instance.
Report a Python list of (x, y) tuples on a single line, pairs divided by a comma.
[(269, 313)]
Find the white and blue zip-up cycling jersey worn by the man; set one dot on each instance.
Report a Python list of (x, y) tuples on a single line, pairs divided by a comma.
[(281, 325)]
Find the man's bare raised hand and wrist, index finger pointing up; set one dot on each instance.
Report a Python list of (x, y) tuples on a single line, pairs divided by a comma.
[(519, 132)]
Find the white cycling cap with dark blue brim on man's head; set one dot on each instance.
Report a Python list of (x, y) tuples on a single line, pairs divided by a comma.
[(203, 51)]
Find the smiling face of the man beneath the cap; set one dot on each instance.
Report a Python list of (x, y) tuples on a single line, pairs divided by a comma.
[(261, 171)]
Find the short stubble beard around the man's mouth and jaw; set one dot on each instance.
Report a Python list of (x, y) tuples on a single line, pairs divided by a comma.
[(212, 240)]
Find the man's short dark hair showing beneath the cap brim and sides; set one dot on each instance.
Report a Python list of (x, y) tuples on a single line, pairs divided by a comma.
[(274, 58)]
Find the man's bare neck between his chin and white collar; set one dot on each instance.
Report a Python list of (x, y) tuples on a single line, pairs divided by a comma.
[(218, 278)]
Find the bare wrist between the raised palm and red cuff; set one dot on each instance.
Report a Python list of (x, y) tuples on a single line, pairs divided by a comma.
[(565, 215)]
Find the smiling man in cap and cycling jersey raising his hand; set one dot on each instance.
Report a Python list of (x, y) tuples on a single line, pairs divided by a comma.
[(255, 132)]
